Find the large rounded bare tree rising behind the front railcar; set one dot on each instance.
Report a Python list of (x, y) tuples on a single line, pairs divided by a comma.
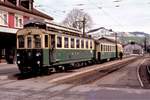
[(75, 19)]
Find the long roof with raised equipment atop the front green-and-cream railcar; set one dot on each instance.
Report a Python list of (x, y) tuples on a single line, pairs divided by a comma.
[(51, 26)]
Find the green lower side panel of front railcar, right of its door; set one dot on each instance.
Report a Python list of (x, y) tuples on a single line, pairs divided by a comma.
[(65, 55)]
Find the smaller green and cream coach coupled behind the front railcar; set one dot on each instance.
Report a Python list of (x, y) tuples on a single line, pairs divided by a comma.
[(106, 49)]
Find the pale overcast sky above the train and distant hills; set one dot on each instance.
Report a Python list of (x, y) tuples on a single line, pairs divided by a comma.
[(125, 15)]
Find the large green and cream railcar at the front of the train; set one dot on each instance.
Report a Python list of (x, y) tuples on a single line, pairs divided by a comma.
[(42, 46)]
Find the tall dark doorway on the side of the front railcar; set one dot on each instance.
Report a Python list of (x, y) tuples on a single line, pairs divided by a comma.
[(52, 48)]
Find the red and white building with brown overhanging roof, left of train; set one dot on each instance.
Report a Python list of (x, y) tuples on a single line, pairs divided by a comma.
[(13, 14)]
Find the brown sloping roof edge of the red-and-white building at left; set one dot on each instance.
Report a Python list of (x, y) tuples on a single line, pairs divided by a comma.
[(21, 8)]
